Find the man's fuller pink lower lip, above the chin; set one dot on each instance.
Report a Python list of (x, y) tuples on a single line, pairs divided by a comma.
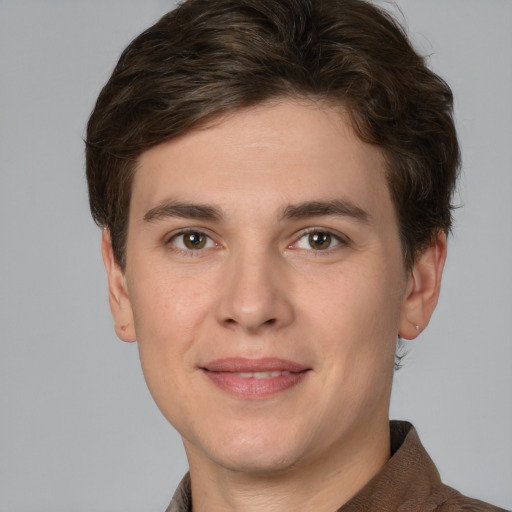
[(252, 388)]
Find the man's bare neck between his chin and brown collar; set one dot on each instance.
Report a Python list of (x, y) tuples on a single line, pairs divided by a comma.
[(321, 483)]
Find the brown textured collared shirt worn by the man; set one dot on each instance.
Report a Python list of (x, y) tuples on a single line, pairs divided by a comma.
[(408, 482)]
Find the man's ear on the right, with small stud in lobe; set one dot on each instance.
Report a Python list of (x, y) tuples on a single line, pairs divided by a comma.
[(423, 289)]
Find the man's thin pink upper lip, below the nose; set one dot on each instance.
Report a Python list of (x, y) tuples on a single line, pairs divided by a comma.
[(242, 364)]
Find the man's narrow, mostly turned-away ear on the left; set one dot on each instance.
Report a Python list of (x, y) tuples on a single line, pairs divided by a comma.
[(118, 297)]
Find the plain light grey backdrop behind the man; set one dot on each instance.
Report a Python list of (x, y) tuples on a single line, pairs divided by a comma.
[(78, 429)]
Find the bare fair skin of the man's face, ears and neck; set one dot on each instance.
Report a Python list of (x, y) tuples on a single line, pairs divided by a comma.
[(258, 288)]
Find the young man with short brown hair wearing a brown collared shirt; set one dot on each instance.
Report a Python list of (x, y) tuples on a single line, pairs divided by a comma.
[(274, 182)]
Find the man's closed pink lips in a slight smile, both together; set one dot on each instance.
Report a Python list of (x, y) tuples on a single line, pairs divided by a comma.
[(231, 376)]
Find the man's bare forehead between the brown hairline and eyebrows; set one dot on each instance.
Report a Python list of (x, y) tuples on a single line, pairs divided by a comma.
[(262, 158)]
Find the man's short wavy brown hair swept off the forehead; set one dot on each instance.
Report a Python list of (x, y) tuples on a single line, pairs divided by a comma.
[(207, 58)]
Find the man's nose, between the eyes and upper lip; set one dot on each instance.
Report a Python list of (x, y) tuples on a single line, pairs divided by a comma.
[(254, 295)]
